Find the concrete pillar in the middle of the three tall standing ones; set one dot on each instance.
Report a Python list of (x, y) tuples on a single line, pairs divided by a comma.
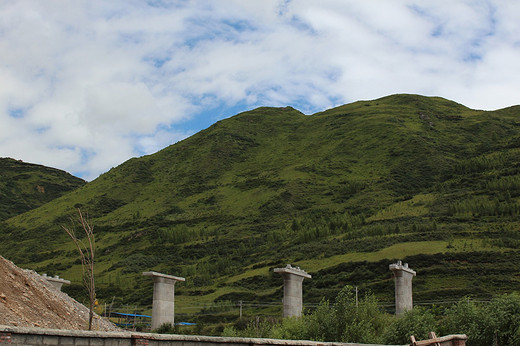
[(292, 289)]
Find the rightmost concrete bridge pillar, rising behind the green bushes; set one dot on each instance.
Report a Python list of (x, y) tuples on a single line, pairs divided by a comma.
[(403, 287)]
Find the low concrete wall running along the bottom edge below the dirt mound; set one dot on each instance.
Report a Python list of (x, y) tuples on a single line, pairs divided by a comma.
[(15, 336)]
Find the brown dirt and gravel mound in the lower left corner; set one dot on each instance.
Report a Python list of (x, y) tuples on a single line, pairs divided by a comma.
[(28, 300)]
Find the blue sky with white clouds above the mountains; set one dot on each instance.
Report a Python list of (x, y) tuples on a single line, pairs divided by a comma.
[(88, 84)]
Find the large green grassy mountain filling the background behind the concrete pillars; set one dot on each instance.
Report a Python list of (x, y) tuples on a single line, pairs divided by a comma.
[(341, 193)]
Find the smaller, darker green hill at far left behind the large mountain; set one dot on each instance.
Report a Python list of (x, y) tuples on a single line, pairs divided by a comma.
[(25, 186)]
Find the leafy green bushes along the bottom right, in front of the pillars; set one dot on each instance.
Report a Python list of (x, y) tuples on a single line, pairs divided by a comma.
[(491, 323)]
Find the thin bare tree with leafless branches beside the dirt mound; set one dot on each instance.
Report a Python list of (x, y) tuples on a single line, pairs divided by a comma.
[(86, 249)]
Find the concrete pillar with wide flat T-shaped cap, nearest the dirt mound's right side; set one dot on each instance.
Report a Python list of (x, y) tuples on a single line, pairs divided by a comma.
[(163, 307)]
